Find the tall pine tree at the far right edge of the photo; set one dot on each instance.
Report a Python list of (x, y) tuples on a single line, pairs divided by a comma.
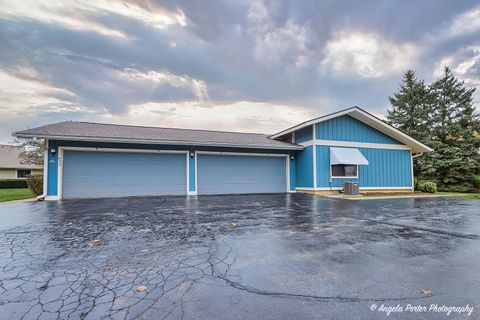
[(454, 125)]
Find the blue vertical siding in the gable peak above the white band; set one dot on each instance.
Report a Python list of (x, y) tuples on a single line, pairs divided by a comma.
[(347, 128)]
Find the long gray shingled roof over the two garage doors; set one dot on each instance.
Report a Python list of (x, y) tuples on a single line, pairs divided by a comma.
[(87, 131)]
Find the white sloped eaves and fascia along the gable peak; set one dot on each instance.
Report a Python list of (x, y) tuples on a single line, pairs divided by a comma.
[(368, 119)]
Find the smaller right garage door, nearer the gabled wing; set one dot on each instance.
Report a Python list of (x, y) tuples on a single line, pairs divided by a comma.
[(223, 174)]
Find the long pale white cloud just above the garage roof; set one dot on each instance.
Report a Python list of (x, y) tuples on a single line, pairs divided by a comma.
[(246, 116)]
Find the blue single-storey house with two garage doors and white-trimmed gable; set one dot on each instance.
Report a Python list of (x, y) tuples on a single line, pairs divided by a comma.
[(88, 160)]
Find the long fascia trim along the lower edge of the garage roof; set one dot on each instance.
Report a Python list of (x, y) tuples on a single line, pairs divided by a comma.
[(161, 142)]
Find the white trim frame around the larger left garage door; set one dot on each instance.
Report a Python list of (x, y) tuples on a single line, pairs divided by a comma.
[(113, 150)]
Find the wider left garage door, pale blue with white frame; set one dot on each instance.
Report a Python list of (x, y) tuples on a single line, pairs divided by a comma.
[(119, 174)]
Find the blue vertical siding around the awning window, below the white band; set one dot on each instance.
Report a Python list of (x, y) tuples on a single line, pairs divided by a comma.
[(386, 168)]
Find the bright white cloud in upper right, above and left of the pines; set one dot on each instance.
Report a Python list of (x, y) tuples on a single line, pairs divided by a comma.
[(367, 55)]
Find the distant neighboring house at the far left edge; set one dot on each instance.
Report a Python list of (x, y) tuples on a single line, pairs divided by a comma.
[(11, 166)]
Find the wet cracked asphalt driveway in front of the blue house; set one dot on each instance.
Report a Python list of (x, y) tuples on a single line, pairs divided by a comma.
[(291, 256)]
